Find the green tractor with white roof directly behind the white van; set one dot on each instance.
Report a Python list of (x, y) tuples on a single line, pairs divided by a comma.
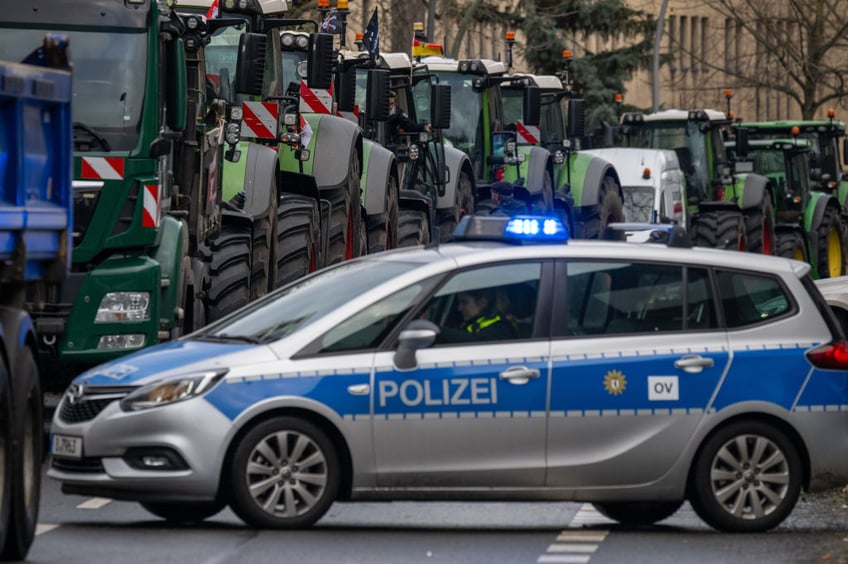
[(726, 208)]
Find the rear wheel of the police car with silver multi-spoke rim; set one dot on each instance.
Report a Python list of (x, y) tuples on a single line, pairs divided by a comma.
[(731, 494)]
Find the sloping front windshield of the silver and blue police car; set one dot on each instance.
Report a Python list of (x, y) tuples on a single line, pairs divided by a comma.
[(290, 309)]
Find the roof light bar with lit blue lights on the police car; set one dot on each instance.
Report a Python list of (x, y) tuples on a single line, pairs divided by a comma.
[(520, 229)]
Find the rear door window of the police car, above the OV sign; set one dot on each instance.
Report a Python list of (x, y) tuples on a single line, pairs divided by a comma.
[(616, 298)]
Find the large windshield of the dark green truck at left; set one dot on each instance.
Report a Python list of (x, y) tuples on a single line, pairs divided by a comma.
[(108, 83)]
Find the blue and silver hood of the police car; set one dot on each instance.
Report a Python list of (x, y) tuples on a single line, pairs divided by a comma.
[(176, 357)]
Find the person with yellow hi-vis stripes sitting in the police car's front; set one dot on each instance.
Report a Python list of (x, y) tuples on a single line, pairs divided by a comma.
[(481, 321)]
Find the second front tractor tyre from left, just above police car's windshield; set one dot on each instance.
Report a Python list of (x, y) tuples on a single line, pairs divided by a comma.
[(298, 236)]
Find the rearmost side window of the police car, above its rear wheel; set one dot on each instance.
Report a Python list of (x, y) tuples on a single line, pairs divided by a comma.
[(749, 298)]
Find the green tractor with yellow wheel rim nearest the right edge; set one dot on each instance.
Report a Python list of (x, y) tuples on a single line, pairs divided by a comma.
[(808, 224)]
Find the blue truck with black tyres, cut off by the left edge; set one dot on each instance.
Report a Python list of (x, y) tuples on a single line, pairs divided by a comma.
[(35, 215)]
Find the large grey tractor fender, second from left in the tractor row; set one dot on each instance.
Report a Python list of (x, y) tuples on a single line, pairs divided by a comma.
[(337, 141)]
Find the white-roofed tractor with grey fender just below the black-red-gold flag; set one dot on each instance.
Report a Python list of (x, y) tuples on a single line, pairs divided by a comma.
[(437, 187)]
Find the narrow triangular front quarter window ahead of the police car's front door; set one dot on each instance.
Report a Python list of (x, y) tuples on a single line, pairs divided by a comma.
[(368, 328)]
